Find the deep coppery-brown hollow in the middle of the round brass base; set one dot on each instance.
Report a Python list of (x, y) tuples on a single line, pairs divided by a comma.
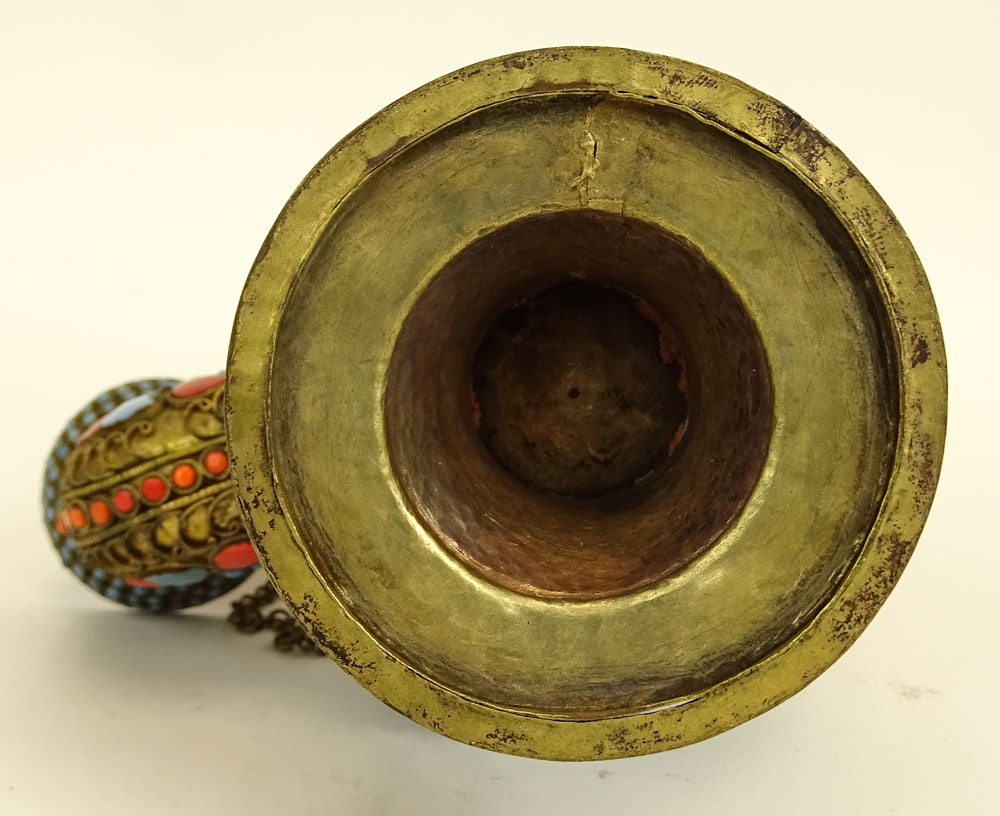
[(519, 535)]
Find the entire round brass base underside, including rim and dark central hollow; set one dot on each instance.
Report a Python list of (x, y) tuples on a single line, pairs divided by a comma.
[(440, 474)]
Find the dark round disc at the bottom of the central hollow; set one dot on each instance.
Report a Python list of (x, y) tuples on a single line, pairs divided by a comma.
[(540, 356)]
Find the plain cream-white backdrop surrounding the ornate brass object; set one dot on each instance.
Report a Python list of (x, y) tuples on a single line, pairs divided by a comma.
[(145, 149)]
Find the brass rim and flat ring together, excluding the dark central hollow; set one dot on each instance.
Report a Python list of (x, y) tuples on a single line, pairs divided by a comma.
[(820, 265)]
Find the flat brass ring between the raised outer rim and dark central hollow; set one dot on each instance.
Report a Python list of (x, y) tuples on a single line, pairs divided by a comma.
[(610, 656)]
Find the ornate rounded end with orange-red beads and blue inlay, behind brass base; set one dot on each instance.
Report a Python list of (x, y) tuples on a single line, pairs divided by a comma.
[(138, 500)]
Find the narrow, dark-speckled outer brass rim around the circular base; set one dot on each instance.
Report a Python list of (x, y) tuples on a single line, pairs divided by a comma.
[(736, 110)]
